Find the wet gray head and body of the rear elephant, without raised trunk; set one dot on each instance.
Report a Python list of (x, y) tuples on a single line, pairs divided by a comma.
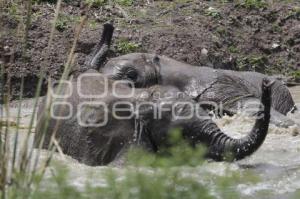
[(203, 84)]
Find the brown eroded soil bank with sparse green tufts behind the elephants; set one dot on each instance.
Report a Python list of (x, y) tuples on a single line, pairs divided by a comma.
[(230, 35)]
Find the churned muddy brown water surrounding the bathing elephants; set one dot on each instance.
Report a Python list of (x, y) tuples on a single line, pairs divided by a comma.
[(277, 162)]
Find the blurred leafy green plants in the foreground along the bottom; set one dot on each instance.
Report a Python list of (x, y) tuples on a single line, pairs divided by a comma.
[(171, 174)]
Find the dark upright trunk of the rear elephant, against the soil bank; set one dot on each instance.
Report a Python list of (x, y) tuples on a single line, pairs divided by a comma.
[(96, 58)]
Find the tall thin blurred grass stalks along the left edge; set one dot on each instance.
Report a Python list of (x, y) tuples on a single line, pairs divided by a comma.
[(18, 177)]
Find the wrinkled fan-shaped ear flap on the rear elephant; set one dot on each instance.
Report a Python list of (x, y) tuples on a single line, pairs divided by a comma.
[(228, 90)]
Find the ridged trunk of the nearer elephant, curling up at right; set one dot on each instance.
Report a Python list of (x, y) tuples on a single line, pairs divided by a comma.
[(221, 147)]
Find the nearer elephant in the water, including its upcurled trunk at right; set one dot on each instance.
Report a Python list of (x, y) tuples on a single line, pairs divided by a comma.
[(102, 145)]
